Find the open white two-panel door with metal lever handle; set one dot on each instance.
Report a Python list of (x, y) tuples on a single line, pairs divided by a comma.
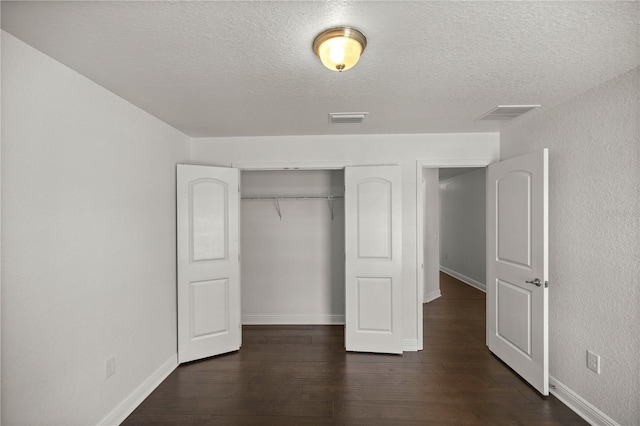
[(517, 271)]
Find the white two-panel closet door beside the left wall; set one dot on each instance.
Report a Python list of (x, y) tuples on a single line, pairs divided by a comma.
[(208, 265)]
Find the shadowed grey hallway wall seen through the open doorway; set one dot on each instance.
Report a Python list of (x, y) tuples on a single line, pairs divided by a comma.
[(463, 227)]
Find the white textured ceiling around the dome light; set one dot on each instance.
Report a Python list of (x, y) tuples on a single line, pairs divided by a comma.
[(241, 68)]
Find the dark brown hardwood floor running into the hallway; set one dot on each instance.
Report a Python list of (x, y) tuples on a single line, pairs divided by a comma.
[(301, 375)]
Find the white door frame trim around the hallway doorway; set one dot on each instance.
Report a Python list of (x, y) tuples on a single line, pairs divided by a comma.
[(438, 163)]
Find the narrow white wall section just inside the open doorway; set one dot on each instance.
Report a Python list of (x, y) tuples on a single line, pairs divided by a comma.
[(431, 232)]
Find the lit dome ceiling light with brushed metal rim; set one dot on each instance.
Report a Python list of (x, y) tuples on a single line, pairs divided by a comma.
[(339, 48)]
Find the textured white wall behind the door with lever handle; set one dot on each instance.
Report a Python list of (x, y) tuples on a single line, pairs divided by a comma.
[(594, 231)]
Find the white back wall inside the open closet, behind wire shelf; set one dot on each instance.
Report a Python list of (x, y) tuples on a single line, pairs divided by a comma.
[(292, 268)]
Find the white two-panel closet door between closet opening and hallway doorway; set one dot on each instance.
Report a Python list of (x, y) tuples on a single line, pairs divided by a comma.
[(373, 234)]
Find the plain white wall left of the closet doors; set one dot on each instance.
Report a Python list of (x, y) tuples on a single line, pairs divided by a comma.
[(88, 243)]
